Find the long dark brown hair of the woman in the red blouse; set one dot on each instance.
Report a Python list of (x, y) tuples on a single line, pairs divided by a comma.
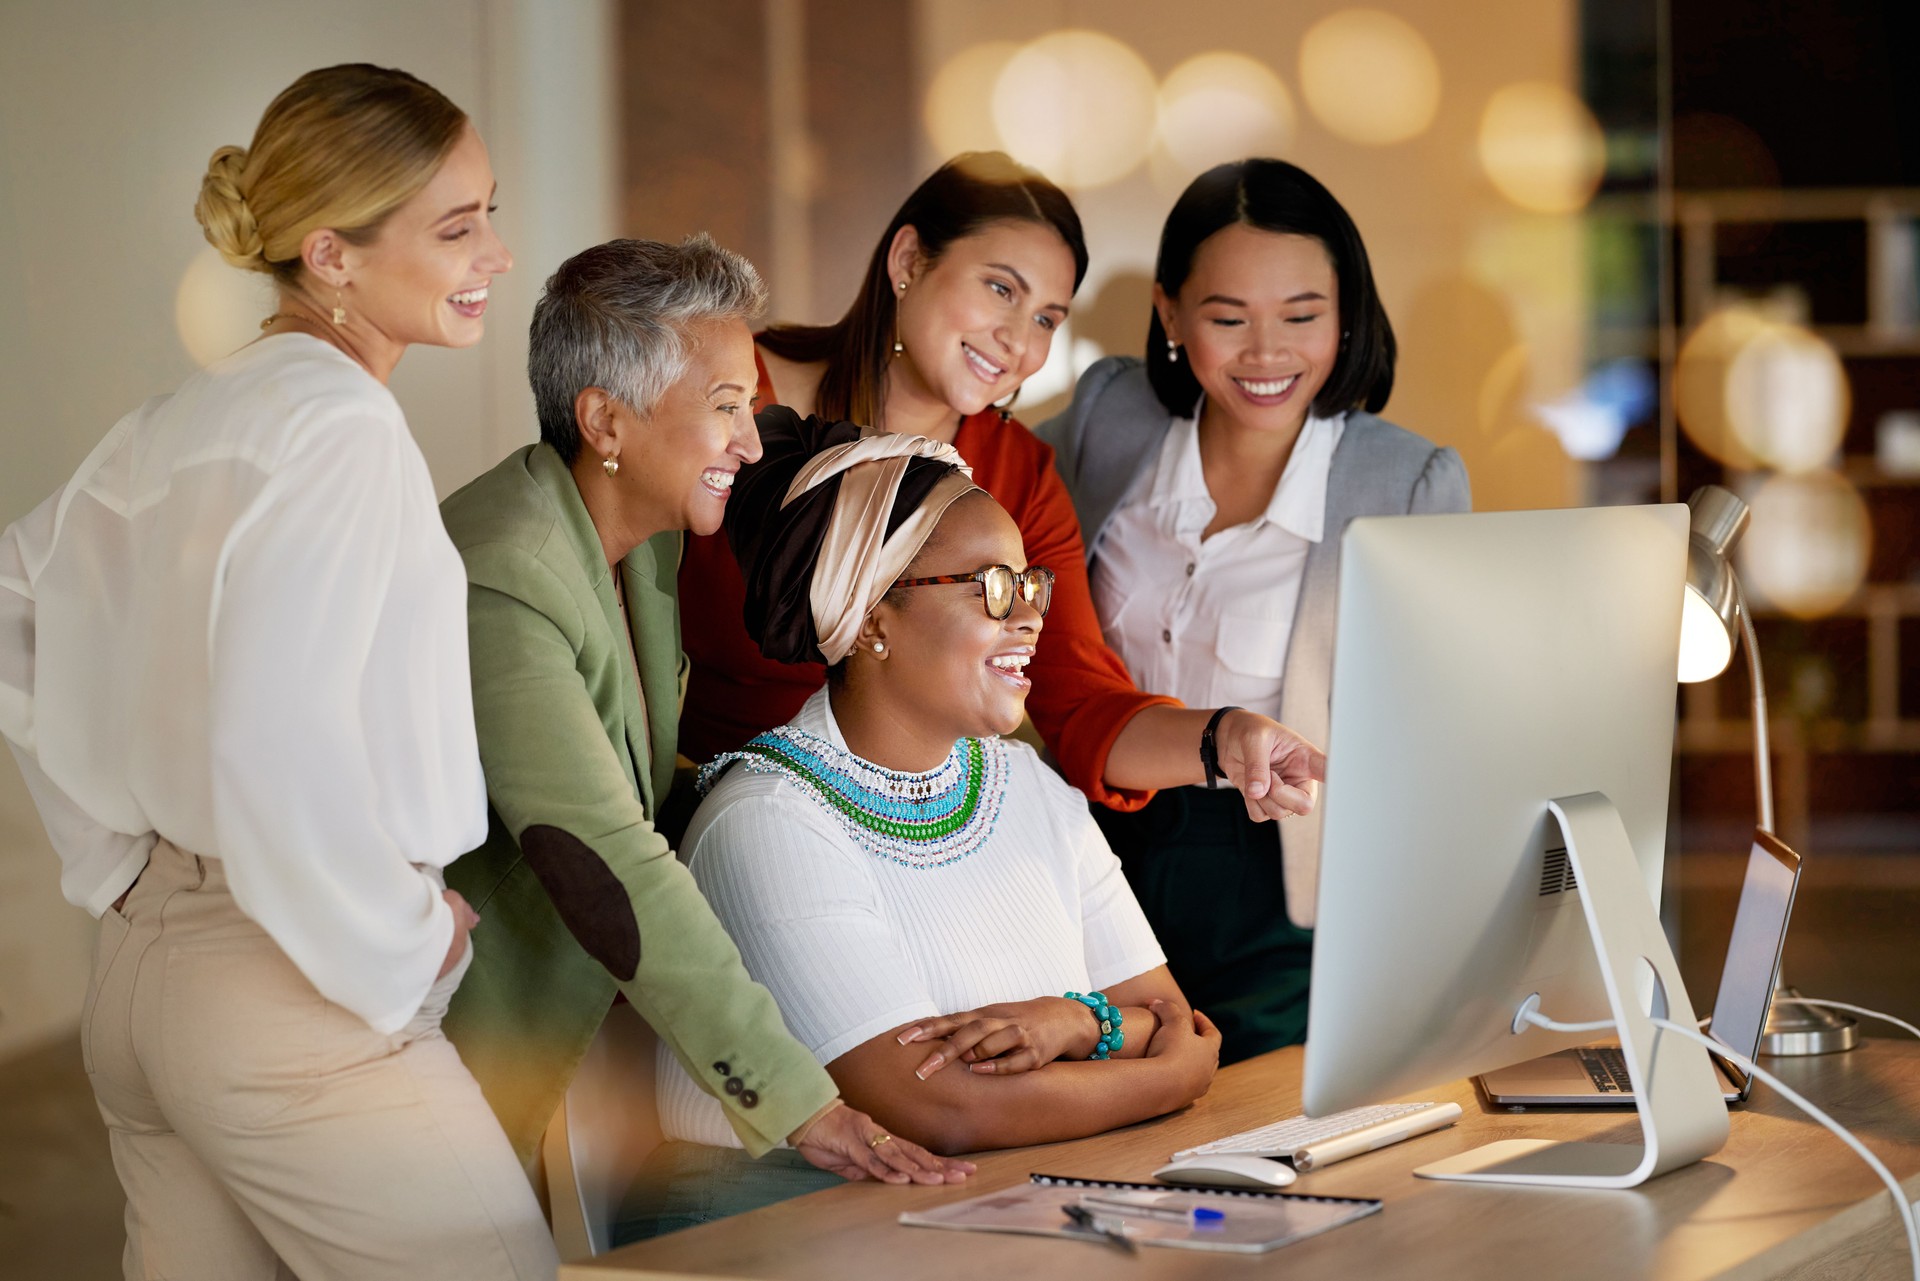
[(957, 201)]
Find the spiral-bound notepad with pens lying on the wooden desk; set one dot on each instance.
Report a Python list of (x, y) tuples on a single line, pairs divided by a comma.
[(1253, 1222)]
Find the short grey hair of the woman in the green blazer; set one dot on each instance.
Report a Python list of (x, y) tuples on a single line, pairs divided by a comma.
[(617, 318)]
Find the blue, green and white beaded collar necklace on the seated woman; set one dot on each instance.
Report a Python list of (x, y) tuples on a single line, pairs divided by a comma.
[(919, 821)]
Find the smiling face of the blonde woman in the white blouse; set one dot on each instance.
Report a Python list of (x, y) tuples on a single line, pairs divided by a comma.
[(425, 276)]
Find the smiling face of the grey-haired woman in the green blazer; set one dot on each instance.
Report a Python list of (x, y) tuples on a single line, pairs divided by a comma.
[(684, 456)]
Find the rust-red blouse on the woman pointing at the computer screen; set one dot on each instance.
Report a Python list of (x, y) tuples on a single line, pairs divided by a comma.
[(1082, 694)]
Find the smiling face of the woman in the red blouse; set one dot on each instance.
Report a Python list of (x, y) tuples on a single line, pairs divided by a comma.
[(978, 320)]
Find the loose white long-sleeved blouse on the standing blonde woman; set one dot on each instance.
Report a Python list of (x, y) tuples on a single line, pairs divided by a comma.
[(243, 627)]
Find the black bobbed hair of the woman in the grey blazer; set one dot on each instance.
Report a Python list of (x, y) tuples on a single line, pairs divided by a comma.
[(1285, 199)]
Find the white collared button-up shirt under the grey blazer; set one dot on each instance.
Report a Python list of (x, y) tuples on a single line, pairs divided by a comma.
[(1209, 619)]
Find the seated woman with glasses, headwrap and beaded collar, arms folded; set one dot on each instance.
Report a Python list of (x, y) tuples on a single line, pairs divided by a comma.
[(917, 892)]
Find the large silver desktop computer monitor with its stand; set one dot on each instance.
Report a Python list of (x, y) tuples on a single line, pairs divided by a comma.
[(1495, 823)]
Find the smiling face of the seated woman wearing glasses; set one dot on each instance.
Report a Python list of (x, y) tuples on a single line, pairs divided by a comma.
[(957, 669)]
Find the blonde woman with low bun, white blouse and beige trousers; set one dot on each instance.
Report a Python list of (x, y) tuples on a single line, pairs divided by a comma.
[(235, 677)]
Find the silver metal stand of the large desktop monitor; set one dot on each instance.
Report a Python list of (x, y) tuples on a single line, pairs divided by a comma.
[(1683, 1115)]
